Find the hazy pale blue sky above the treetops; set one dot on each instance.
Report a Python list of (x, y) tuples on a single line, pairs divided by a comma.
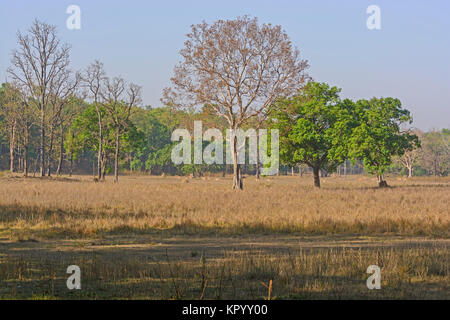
[(140, 40)]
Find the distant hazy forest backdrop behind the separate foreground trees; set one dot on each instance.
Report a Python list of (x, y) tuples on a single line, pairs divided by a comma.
[(147, 145)]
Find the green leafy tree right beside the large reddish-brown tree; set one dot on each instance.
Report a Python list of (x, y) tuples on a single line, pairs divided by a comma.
[(314, 126)]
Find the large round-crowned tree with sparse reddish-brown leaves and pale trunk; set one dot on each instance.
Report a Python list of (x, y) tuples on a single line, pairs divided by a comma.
[(239, 68)]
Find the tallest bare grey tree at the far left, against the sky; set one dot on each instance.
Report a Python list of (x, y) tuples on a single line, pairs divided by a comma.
[(38, 61)]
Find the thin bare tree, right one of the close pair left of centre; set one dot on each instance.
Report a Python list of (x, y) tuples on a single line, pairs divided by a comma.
[(119, 99)]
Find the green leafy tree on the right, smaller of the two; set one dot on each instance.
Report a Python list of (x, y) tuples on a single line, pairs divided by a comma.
[(378, 137)]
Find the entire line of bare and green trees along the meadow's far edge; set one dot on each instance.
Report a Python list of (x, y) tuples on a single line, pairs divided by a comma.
[(56, 121)]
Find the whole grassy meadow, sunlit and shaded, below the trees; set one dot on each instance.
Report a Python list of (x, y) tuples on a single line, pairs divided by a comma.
[(179, 238)]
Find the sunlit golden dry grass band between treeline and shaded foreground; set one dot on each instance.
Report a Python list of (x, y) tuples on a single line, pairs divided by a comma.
[(79, 207)]
